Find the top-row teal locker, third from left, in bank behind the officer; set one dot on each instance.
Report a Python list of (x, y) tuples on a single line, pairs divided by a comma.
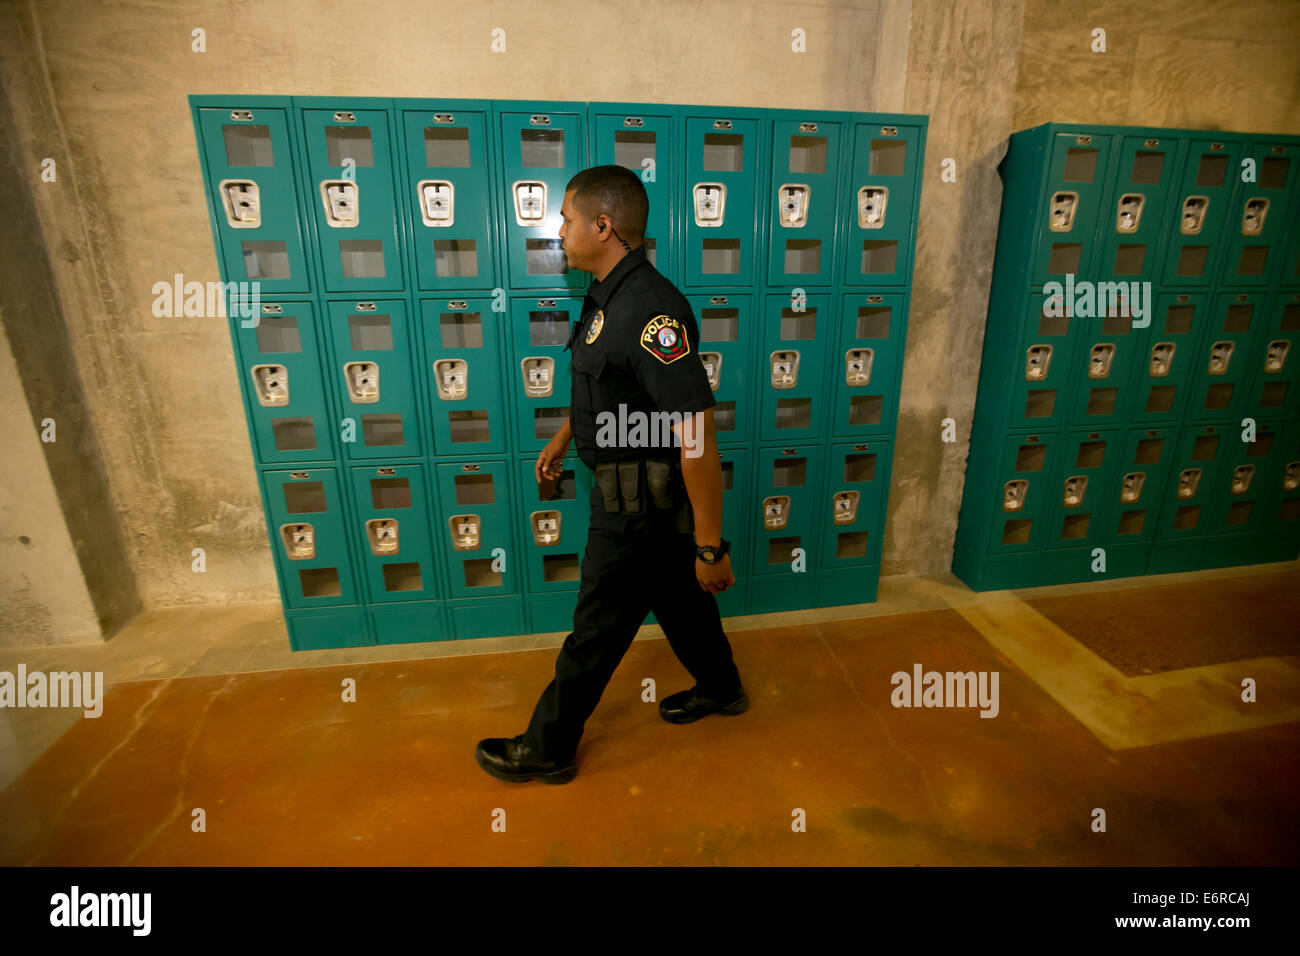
[(449, 189)]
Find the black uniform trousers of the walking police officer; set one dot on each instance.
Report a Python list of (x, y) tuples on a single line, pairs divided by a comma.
[(634, 565)]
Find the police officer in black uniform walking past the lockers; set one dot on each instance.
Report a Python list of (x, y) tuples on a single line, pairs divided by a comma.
[(636, 364)]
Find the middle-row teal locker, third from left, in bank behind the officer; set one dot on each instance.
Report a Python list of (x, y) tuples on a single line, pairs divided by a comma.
[(465, 344)]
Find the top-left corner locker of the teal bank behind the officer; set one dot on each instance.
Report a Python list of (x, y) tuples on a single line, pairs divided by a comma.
[(253, 197)]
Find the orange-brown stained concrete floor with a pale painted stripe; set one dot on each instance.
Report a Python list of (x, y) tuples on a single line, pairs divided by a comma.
[(207, 710)]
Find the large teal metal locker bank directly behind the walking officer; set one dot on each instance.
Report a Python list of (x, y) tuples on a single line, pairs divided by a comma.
[(404, 361)]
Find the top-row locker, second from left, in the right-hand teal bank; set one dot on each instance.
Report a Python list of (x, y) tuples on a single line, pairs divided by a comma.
[(1138, 198)]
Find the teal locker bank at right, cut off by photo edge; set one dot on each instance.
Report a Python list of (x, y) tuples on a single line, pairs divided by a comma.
[(1138, 404)]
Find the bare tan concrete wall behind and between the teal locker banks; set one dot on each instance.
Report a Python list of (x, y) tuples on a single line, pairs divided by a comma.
[(103, 92)]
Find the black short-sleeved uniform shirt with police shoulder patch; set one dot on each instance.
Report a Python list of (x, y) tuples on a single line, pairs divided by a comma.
[(639, 347)]
